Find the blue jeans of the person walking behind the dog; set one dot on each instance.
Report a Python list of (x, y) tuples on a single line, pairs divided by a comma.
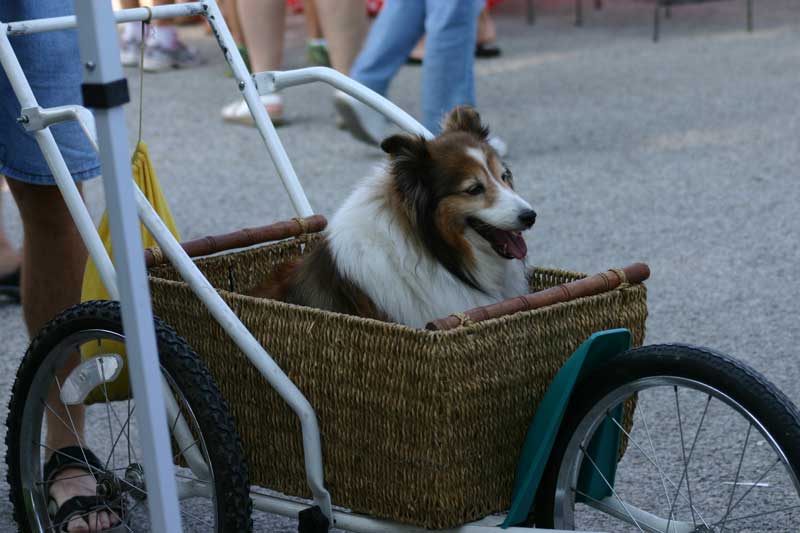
[(450, 28)]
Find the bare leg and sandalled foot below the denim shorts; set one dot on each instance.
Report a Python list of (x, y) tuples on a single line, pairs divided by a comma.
[(52, 271)]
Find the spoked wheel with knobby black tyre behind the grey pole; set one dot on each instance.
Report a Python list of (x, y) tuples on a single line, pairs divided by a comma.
[(210, 468)]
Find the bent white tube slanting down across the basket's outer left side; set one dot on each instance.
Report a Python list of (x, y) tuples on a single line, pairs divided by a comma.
[(312, 446)]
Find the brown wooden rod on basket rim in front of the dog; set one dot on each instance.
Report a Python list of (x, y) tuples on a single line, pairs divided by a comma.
[(599, 283)]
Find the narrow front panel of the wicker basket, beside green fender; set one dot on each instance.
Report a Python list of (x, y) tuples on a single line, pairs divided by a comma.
[(503, 371)]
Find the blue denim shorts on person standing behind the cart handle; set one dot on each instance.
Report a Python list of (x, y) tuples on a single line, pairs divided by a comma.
[(51, 63)]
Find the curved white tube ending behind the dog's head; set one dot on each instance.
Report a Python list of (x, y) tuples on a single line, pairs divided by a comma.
[(269, 82)]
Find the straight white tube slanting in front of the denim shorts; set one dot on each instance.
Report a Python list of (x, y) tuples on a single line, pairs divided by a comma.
[(75, 205)]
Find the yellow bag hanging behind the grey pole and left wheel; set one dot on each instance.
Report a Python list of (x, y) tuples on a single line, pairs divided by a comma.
[(93, 288)]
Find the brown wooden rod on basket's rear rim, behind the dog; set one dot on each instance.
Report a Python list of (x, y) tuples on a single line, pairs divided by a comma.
[(241, 239)]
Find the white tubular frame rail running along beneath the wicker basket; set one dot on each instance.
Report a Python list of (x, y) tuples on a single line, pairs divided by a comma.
[(364, 524)]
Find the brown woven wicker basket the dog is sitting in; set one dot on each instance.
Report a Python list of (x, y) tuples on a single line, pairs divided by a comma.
[(422, 427)]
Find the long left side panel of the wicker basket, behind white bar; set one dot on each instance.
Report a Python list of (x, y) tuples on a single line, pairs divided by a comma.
[(367, 438)]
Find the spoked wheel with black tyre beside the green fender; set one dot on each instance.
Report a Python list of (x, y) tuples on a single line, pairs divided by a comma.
[(714, 447)]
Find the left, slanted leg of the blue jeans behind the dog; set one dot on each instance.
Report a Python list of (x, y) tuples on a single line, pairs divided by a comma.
[(393, 35)]
